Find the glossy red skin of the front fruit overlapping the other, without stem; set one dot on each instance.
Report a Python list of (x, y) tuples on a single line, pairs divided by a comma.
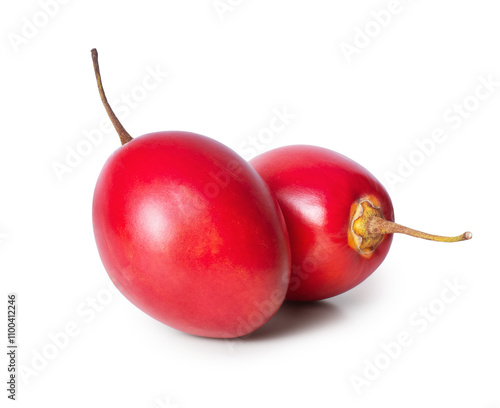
[(190, 233)]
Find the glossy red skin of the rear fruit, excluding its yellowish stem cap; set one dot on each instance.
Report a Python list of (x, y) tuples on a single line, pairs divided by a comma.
[(316, 188)]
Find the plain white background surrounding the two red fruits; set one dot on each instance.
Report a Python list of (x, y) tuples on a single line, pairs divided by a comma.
[(227, 73)]
